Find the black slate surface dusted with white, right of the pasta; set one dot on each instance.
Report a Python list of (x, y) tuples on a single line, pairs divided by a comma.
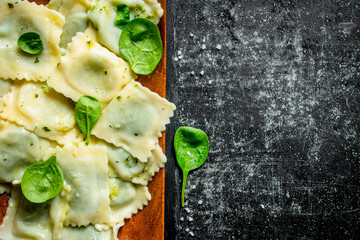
[(275, 84)]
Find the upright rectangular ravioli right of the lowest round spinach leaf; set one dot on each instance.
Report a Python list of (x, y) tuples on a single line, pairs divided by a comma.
[(85, 170)]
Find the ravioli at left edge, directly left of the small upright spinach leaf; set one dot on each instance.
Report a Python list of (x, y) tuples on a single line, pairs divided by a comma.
[(40, 109)]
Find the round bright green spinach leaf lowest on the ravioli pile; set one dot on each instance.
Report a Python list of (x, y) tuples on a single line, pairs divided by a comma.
[(42, 181)]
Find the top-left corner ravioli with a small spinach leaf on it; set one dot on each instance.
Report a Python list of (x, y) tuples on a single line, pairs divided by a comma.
[(17, 18)]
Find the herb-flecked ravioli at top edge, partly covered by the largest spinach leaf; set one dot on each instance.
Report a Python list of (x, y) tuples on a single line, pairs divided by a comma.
[(102, 13)]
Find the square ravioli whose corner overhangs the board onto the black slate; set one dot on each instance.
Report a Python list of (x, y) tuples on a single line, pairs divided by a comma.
[(134, 120)]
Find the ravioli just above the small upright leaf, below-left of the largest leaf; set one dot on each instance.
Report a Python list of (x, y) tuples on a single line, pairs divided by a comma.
[(90, 69)]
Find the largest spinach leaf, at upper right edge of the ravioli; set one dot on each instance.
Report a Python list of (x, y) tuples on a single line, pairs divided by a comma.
[(140, 44)]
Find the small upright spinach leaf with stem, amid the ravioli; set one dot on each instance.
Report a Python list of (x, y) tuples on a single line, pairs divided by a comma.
[(87, 113)]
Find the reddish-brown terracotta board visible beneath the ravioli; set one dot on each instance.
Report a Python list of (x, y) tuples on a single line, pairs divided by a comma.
[(148, 223)]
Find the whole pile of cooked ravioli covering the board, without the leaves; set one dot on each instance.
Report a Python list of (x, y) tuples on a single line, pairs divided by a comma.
[(105, 181)]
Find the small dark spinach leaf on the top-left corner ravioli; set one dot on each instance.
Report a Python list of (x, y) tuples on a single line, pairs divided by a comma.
[(30, 42)]
